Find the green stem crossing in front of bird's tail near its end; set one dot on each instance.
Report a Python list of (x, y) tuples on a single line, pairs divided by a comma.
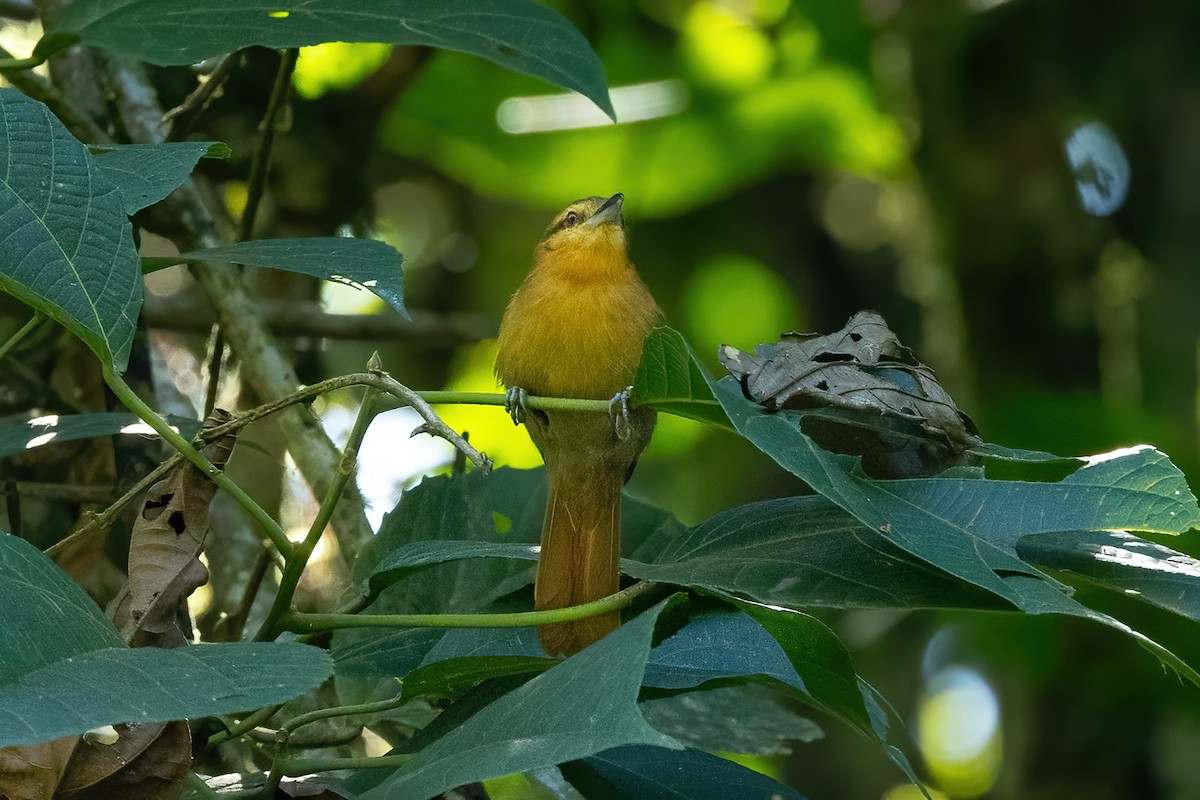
[(301, 623)]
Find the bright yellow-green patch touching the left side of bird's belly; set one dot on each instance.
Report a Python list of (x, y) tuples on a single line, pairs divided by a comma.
[(489, 426)]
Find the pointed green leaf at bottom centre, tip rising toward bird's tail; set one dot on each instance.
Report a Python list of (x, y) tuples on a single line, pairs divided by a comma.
[(583, 707)]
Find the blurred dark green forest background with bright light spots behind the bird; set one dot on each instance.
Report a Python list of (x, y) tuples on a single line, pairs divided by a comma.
[(788, 164)]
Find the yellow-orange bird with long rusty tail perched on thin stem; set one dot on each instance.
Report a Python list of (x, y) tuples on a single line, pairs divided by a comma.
[(575, 329)]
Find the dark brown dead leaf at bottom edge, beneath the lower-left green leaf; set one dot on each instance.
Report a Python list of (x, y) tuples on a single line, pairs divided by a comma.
[(148, 762)]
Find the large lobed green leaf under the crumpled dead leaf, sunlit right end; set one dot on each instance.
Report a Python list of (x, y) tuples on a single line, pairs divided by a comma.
[(967, 527)]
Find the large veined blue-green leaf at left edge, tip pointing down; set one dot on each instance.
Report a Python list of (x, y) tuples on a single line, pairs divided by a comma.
[(67, 244)]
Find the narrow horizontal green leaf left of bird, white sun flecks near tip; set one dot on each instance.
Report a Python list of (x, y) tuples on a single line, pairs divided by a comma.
[(359, 263)]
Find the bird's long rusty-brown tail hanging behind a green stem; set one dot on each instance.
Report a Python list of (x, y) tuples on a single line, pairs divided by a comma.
[(580, 554)]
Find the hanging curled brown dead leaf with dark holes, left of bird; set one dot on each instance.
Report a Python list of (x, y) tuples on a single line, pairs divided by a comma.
[(165, 549)]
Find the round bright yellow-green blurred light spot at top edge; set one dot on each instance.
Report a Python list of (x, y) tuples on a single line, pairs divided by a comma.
[(725, 50)]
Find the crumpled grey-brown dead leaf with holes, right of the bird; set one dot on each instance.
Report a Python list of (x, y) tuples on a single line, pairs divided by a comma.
[(866, 395)]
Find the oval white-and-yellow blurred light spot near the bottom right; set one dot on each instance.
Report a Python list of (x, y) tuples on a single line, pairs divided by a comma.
[(958, 729)]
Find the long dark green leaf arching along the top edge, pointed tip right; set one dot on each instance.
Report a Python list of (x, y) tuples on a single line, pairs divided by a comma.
[(519, 35)]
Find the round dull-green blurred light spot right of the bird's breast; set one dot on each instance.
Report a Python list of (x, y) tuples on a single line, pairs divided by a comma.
[(741, 302)]
